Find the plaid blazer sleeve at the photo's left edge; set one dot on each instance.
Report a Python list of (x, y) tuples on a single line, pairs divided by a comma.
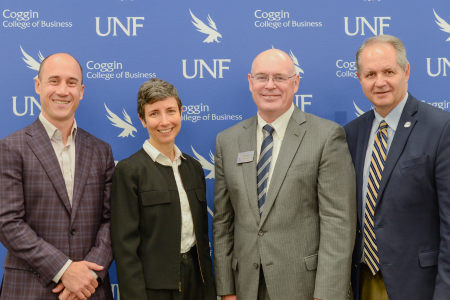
[(44, 259)]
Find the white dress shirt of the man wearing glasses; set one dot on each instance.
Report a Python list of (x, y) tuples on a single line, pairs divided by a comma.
[(280, 125)]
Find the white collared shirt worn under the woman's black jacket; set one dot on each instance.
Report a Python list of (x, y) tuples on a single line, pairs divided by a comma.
[(187, 224)]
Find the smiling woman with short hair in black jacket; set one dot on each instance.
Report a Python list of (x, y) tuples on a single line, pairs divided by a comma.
[(159, 222)]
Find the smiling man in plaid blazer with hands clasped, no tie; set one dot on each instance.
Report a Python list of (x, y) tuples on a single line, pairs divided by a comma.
[(55, 183)]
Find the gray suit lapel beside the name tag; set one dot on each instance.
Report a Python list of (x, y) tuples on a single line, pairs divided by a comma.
[(247, 142)]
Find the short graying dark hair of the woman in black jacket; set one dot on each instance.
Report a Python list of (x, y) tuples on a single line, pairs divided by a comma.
[(155, 90)]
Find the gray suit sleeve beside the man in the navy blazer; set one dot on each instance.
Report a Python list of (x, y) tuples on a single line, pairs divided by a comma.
[(337, 213)]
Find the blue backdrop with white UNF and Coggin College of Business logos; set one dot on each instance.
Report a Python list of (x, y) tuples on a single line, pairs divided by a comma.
[(205, 48)]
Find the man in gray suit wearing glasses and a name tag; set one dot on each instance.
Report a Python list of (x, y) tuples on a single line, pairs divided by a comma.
[(284, 199)]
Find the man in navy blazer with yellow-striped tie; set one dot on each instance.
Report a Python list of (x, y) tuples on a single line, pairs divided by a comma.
[(401, 153)]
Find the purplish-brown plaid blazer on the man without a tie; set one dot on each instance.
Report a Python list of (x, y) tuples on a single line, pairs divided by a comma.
[(39, 228)]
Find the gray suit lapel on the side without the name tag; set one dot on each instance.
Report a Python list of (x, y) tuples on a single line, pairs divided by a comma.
[(289, 147)]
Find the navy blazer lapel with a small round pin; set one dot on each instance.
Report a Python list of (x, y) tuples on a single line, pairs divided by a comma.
[(398, 143)]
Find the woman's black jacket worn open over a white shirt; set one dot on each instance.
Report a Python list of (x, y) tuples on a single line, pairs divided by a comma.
[(146, 225)]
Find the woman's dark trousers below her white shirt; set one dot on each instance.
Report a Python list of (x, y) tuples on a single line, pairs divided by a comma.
[(190, 277)]
